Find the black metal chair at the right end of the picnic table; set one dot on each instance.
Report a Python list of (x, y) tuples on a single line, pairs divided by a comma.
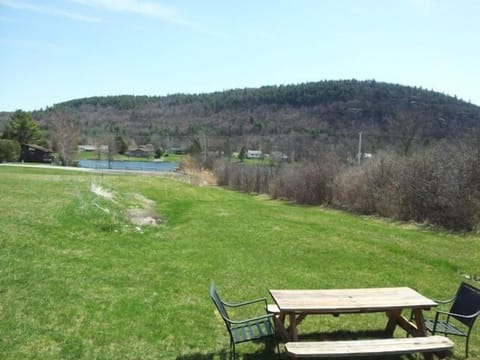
[(464, 311)]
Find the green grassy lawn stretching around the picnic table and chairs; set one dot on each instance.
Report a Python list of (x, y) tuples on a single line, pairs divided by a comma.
[(77, 280)]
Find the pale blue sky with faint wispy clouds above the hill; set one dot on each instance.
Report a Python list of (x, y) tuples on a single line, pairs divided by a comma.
[(58, 50)]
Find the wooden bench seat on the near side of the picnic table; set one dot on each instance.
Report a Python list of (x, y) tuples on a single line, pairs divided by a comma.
[(377, 347)]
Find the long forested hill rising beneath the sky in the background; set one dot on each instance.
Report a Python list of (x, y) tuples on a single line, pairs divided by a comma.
[(325, 108)]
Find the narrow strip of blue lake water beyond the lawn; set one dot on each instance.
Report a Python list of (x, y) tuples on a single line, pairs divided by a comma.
[(129, 165)]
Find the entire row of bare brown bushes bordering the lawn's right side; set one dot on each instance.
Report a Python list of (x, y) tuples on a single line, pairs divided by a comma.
[(440, 185)]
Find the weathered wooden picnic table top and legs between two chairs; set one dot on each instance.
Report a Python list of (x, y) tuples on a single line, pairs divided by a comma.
[(297, 304)]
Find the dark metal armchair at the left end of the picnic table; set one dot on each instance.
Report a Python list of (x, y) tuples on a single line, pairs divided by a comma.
[(251, 329)]
